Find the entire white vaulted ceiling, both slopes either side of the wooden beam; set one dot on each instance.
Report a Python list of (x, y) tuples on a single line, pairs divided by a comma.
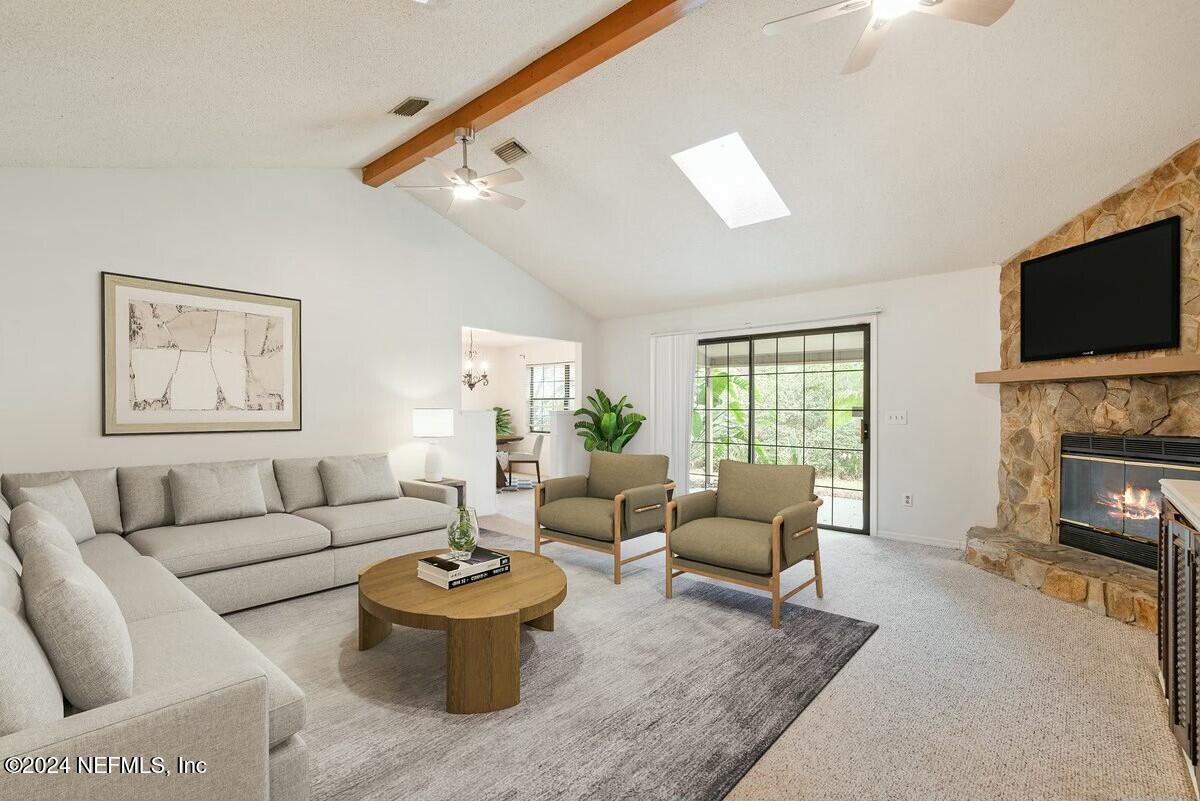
[(958, 147)]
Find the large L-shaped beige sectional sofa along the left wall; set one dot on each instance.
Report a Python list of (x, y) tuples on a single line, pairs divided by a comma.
[(201, 691)]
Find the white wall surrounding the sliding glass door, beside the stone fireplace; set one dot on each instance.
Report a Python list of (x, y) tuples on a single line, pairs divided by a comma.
[(932, 336)]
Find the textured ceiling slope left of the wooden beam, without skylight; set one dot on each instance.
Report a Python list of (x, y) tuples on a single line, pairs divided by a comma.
[(263, 83)]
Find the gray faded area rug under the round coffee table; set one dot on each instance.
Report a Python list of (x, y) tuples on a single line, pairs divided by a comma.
[(633, 696)]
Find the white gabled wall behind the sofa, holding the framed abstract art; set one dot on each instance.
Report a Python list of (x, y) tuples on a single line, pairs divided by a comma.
[(387, 286)]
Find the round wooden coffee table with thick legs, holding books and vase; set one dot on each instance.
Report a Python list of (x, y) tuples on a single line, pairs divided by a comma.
[(483, 622)]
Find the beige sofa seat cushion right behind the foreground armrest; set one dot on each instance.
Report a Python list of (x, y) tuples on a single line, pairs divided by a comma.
[(170, 649)]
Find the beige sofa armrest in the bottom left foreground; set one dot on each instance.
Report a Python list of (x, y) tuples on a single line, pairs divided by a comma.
[(221, 721)]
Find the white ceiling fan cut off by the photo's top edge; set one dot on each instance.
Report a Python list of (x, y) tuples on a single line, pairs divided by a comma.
[(884, 13)]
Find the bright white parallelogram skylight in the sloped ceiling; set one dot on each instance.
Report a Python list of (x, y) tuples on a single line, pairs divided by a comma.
[(725, 172)]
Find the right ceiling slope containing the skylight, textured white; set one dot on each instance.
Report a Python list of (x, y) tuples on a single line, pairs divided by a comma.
[(956, 149)]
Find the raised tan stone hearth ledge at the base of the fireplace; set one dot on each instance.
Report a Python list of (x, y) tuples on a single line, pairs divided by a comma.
[(1107, 587)]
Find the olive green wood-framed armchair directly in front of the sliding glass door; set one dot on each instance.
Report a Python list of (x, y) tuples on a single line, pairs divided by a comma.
[(761, 521)]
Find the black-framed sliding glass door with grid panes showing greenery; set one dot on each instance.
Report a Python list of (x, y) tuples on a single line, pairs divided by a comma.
[(789, 399)]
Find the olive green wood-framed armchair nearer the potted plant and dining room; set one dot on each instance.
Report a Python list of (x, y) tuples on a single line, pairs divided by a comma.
[(623, 497)]
